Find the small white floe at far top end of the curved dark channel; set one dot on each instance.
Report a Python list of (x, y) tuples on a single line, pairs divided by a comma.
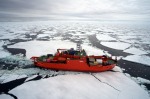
[(103, 37)]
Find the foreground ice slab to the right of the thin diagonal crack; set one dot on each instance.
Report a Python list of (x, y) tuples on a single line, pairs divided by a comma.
[(128, 88)]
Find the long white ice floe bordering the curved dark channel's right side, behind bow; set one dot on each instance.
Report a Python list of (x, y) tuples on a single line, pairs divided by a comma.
[(116, 45)]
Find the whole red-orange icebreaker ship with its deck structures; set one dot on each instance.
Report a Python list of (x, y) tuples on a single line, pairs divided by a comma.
[(74, 60)]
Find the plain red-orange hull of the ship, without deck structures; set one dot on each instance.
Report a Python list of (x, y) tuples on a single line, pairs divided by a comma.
[(74, 65)]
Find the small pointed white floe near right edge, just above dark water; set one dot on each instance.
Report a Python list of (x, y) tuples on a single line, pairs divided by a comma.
[(134, 50)]
